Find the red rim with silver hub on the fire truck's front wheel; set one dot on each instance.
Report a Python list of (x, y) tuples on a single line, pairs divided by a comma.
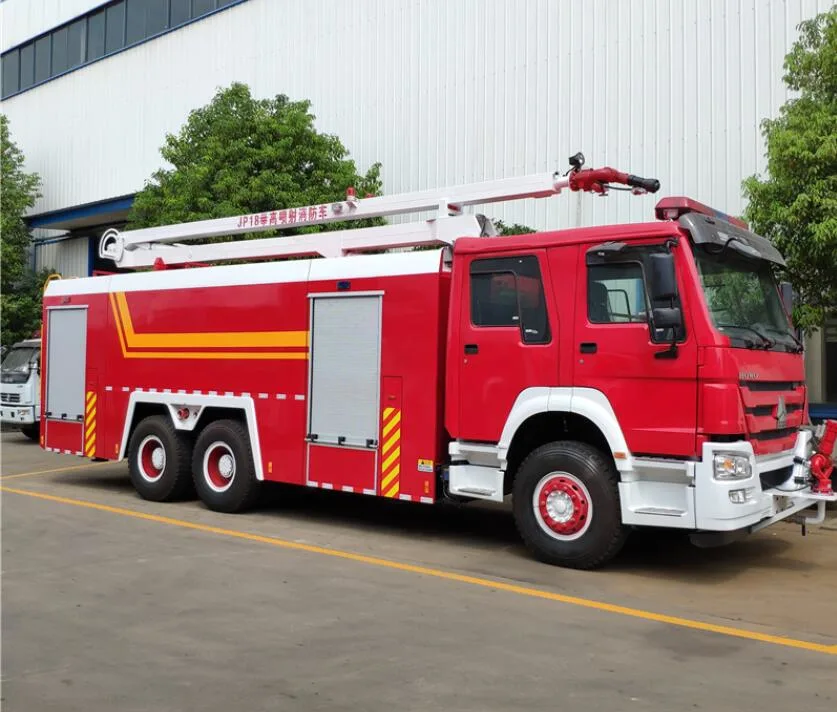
[(562, 506)]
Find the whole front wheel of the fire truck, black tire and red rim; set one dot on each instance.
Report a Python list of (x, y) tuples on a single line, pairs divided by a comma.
[(585, 482)]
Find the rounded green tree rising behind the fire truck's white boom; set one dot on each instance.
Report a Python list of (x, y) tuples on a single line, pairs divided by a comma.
[(241, 155)]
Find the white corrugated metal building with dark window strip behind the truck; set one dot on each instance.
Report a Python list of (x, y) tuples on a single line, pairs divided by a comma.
[(439, 91)]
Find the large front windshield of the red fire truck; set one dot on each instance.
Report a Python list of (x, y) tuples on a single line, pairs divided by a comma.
[(743, 299)]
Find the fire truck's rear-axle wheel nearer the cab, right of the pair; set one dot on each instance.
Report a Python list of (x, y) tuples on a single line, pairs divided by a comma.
[(222, 467)]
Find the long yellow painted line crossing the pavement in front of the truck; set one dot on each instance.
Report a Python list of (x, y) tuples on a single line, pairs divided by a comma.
[(447, 575)]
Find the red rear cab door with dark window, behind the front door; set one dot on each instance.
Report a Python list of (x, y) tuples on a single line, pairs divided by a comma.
[(507, 338)]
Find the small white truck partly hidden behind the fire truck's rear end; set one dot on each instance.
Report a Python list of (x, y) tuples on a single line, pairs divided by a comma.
[(20, 388)]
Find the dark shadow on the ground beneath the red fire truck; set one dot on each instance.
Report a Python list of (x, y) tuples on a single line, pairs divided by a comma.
[(484, 528)]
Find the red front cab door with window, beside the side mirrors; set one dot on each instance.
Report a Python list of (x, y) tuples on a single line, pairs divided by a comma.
[(651, 387)]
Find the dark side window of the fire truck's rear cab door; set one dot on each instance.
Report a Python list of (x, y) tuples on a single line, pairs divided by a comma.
[(509, 292)]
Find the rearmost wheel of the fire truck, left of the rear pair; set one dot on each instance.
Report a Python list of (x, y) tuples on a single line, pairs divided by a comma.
[(172, 480)]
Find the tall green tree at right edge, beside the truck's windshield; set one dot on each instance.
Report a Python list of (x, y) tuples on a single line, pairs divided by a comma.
[(795, 206)]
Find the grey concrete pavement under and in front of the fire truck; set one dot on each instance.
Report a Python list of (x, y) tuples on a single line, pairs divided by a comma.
[(110, 602)]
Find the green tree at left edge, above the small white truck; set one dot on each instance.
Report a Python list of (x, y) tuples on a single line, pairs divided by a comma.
[(20, 289)]
